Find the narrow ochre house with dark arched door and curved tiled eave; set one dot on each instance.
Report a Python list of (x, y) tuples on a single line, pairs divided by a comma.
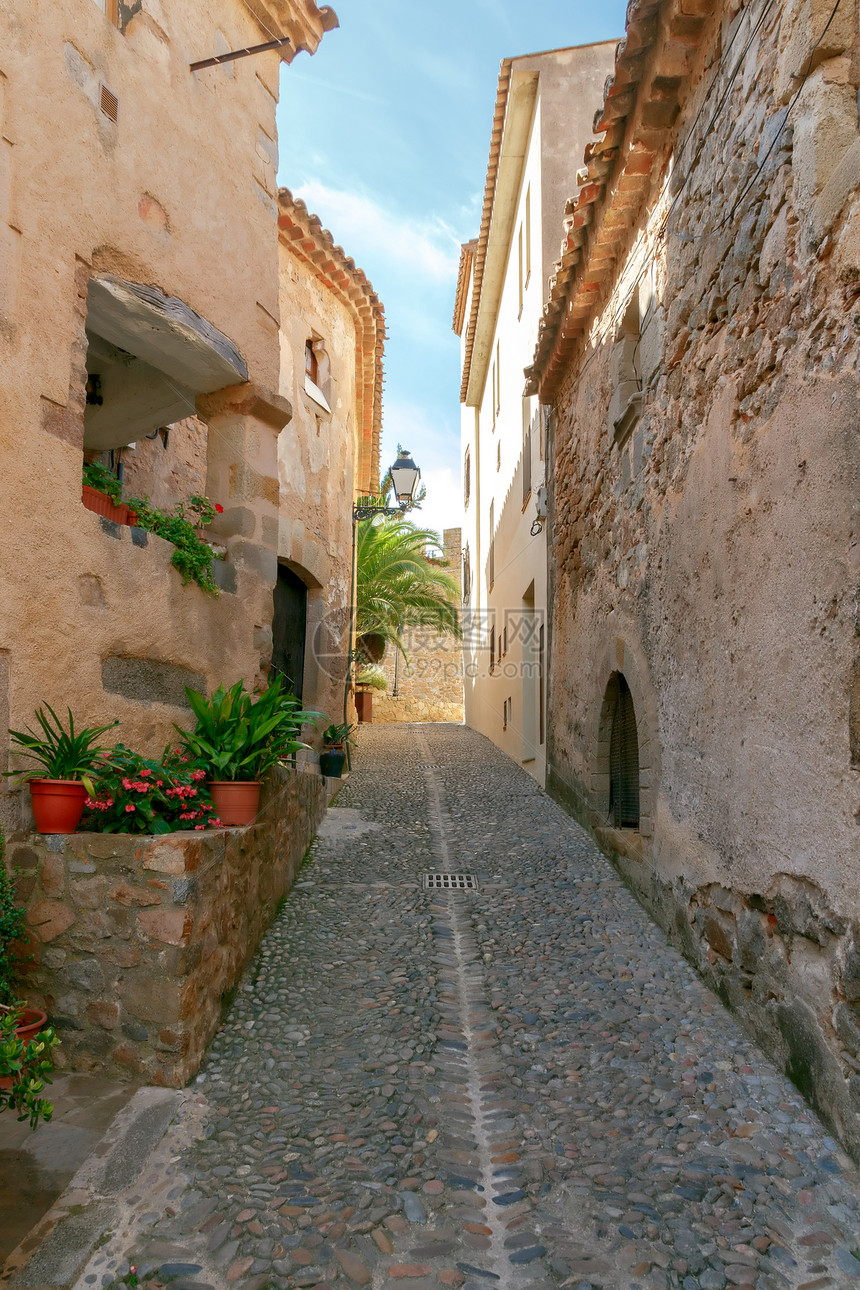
[(333, 331)]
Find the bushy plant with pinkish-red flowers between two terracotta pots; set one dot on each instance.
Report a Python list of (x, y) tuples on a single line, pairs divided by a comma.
[(145, 795)]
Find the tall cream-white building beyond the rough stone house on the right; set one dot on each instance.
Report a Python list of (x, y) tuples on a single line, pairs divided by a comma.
[(540, 128)]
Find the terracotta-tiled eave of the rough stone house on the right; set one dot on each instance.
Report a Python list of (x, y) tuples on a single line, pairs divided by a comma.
[(641, 104)]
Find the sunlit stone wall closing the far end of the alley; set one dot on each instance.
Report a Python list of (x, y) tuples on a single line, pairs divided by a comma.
[(427, 686)]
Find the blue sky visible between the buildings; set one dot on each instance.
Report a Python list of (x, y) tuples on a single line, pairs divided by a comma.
[(385, 132)]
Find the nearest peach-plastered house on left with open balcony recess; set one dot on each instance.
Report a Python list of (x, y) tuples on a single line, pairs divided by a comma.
[(139, 299)]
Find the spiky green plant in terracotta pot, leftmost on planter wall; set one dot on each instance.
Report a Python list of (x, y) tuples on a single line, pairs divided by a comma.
[(69, 759)]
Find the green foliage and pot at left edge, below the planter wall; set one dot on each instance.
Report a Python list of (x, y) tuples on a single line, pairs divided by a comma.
[(25, 1061)]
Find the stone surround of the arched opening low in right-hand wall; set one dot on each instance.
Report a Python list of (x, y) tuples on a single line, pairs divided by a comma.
[(623, 659)]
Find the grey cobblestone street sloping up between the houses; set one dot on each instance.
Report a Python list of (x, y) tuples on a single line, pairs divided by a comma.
[(522, 1087)]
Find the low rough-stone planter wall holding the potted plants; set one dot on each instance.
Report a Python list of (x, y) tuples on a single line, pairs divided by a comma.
[(137, 942)]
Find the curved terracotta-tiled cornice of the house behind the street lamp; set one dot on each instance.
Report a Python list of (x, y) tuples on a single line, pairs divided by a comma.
[(305, 238)]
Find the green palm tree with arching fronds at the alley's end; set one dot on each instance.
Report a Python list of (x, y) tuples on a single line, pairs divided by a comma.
[(398, 586)]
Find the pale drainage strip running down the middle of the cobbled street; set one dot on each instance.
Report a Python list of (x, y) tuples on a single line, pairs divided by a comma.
[(475, 1065)]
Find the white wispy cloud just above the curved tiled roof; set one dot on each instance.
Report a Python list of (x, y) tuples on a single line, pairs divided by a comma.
[(368, 232)]
